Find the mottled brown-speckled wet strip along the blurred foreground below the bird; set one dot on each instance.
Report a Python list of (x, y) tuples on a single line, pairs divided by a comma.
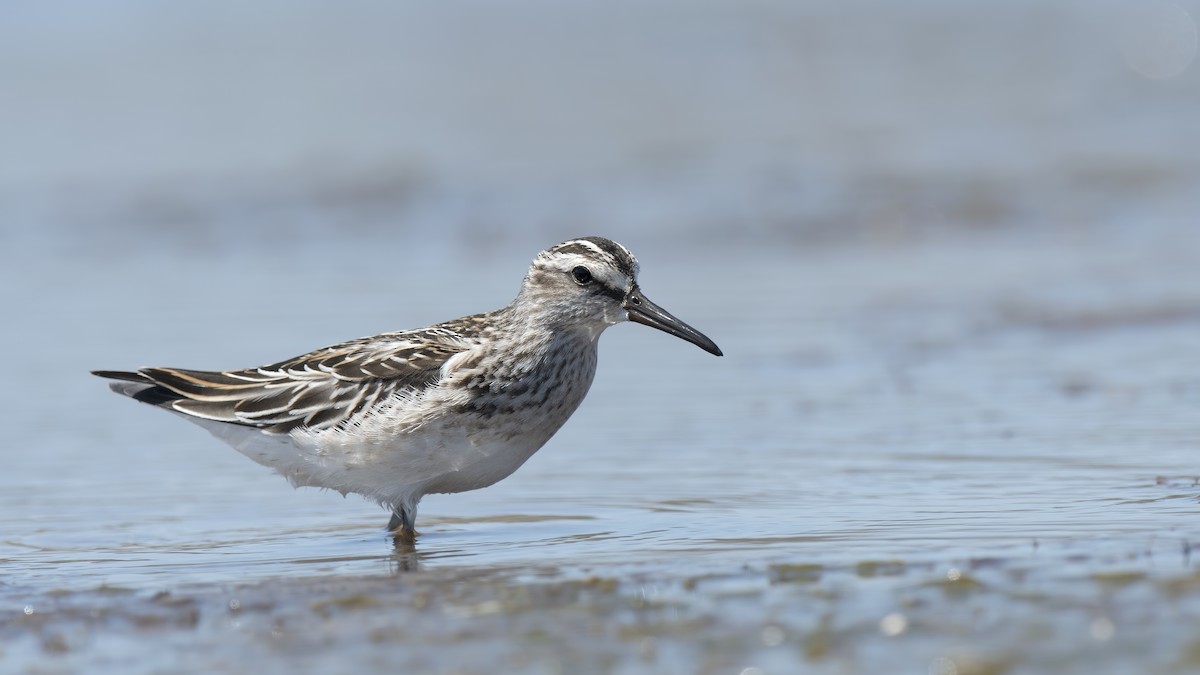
[(1077, 613)]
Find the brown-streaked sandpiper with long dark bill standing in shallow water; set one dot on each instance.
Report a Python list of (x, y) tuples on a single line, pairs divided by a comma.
[(447, 409)]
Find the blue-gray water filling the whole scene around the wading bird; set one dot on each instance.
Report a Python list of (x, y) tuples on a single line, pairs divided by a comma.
[(951, 255)]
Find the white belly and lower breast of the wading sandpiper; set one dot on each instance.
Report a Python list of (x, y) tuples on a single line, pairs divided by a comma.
[(419, 445)]
